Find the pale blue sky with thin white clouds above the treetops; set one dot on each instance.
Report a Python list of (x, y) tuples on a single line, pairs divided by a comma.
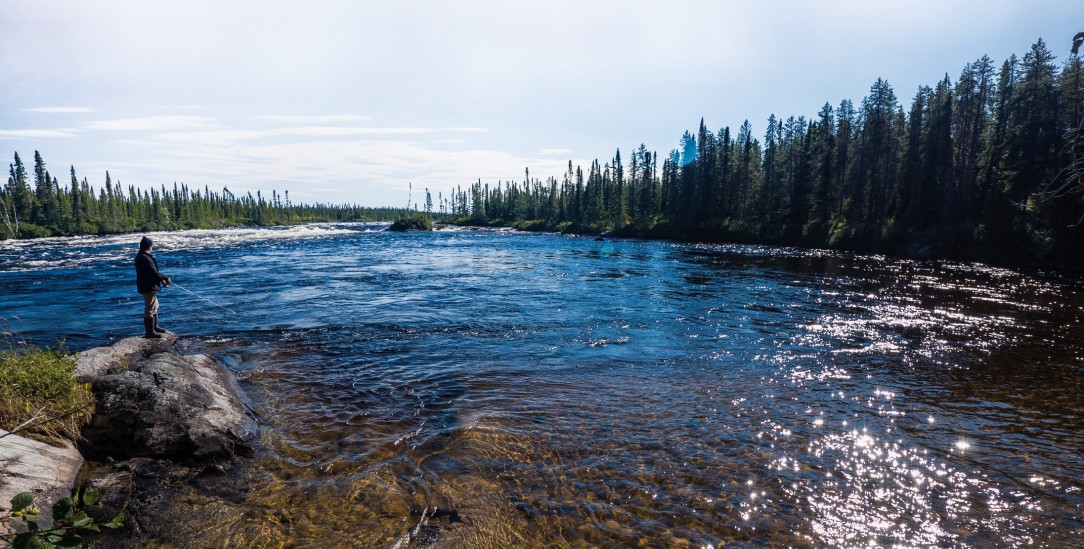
[(351, 101)]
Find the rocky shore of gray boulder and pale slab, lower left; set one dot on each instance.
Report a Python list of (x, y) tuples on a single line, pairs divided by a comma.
[(160, 415)]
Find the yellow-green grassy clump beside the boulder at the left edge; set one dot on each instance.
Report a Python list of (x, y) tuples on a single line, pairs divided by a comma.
[(40, 394)]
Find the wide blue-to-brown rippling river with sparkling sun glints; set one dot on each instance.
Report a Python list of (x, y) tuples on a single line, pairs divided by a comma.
[(491, 389)]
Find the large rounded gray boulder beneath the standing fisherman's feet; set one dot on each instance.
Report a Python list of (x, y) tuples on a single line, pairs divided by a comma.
[(162, 405)]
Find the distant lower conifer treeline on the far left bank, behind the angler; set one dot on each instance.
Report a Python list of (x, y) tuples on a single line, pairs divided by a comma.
[(49, 209)]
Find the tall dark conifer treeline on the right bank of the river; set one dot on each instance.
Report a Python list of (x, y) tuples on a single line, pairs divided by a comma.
[(972, 170)]
